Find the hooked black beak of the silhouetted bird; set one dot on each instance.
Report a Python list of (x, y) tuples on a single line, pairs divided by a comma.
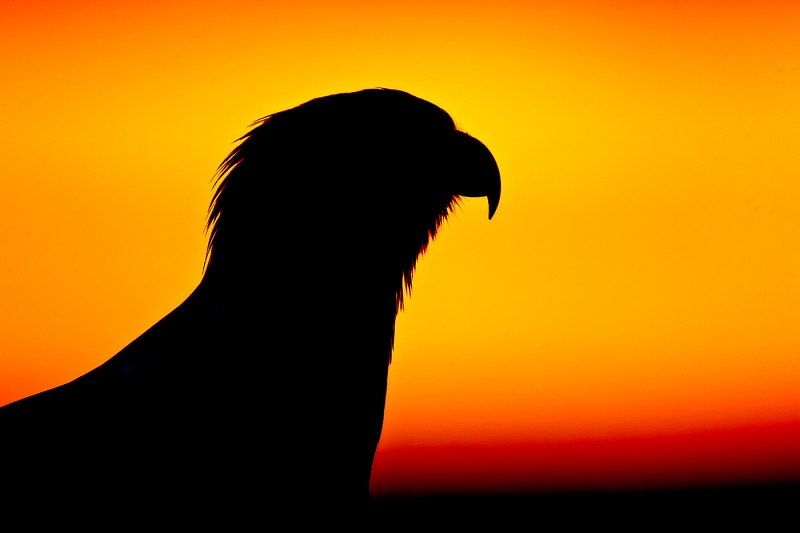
[(476, 171)]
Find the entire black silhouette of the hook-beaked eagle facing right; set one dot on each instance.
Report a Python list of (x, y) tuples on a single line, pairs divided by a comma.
[(267, 384)]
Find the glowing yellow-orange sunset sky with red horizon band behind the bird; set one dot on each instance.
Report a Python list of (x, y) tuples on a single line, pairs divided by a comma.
[(630, 317)]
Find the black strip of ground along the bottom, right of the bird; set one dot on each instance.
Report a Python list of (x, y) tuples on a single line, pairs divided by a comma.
[(776, 507)]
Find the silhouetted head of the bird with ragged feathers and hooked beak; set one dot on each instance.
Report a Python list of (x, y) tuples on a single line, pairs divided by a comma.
[(370, 176)]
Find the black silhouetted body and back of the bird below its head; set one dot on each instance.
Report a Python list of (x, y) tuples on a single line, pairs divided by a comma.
[(209, 409)]
